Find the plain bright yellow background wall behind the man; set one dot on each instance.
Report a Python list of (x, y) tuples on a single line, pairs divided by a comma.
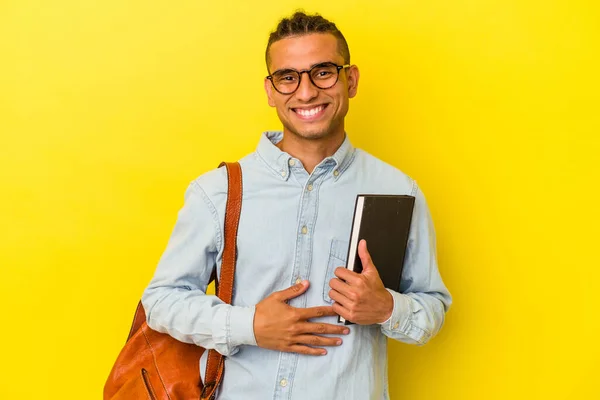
[(108, 109)]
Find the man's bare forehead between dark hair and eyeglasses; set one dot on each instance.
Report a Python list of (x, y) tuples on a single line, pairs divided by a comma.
[(302, 52)]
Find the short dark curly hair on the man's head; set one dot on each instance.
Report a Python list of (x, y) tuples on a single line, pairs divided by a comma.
[(301, 24)]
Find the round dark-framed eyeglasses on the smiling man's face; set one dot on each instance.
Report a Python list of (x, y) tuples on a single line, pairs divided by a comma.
[(324, 76)]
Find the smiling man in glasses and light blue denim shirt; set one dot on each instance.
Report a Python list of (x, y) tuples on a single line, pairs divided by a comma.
[(281, 335)]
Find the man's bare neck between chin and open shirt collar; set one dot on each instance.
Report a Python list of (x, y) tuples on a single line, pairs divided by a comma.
[(310, 152)]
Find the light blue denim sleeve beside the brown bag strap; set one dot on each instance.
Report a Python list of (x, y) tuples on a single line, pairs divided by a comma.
[(176, 302)]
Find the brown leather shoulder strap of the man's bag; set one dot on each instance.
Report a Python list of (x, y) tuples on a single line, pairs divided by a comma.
[(215, 364)]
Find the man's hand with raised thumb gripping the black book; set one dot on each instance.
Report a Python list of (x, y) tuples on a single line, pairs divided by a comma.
[(361, 297)]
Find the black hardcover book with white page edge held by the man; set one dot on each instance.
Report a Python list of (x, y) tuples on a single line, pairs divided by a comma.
[(384, 222)]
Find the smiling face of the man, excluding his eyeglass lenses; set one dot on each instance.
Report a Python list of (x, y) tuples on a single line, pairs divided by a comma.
[(311, 112)]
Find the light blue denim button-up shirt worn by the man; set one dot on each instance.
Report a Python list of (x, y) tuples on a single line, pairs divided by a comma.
[(293, 225)]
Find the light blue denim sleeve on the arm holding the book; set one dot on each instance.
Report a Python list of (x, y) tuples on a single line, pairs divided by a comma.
[(420, 308)]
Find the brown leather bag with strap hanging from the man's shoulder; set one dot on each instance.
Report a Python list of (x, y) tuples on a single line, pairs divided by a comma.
[(156, 366)]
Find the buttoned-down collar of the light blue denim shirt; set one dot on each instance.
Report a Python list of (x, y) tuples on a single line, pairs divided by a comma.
[(279, 161)]
